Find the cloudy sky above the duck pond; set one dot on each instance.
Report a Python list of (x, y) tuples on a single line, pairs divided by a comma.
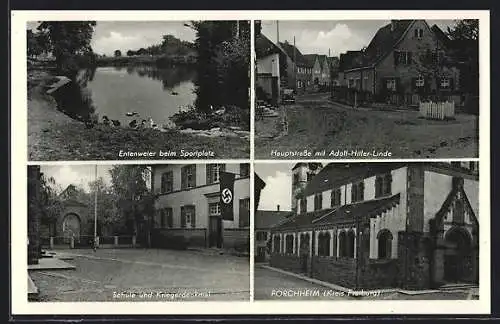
[(124, 35)]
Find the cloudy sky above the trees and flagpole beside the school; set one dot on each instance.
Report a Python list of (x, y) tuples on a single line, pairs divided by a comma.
[(78, 175)]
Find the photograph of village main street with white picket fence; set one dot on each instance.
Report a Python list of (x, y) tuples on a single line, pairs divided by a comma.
[(351, 89)]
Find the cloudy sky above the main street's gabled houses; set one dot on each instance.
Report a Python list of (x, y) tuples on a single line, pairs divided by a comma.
[(317, 37)]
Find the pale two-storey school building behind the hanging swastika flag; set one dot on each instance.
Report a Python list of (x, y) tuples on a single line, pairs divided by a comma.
[(188, 206)]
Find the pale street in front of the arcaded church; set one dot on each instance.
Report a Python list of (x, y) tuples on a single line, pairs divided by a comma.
[(273, 285)]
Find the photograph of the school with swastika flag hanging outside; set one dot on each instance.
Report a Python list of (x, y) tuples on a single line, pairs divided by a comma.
[(128, 233)]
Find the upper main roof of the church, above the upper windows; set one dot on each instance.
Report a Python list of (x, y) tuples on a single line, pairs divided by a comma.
[(335, 175)]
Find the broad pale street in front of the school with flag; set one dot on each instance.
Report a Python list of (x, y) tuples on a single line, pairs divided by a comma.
[(145, 275)]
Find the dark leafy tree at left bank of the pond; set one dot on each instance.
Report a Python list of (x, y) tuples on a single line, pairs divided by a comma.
[(67, 40)]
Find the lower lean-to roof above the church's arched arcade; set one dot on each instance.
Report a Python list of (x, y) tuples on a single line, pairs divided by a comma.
[(345, 213)]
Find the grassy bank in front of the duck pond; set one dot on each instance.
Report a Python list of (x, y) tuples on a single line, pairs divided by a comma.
[(52, 135)]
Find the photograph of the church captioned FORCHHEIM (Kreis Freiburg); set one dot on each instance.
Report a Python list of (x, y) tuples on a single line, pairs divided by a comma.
[(367, 231)]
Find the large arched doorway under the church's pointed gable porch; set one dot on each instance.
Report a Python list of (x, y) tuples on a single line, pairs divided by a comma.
[(458, 263)]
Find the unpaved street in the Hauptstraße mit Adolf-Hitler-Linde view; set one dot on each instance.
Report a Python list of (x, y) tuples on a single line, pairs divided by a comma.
[(315, 124)]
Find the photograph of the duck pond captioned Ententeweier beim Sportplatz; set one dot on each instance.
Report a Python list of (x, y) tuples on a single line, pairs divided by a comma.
[(114, 90)]
